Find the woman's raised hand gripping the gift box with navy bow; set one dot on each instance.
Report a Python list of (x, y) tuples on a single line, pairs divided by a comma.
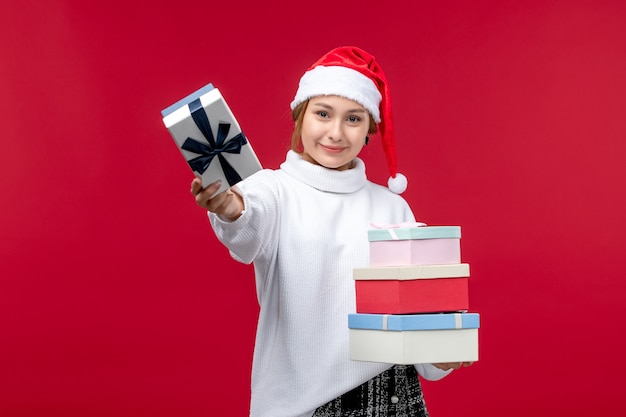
[(227, 203)]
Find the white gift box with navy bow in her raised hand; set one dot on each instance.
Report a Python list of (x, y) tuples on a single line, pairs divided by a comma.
[(210, 138)]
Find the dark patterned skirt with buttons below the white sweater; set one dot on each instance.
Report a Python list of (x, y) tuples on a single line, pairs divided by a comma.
[(397, 392)]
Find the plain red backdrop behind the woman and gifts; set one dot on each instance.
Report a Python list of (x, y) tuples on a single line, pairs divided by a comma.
[(117, 300)]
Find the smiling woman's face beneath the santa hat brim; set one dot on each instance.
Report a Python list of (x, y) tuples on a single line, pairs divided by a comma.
[(333, 131)]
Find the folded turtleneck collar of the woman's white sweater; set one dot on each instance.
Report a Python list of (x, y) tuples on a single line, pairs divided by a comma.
[(324, 179)]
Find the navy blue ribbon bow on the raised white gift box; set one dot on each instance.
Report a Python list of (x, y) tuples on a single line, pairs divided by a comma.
[(216, 145)]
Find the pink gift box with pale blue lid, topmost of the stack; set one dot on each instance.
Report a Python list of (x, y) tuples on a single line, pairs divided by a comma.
[(418, 245)]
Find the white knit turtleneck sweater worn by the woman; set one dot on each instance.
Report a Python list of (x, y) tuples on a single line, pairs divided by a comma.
[(305, 228)]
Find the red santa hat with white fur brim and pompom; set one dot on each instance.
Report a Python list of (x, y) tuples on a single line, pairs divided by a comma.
[(352, 73)]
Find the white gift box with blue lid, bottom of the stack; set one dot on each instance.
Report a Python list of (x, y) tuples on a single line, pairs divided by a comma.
[(416, 338)]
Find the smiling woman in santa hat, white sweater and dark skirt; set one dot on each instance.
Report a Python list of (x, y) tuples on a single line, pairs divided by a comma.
[(304, 227)]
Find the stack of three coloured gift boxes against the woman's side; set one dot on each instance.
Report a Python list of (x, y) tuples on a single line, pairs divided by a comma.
[(412, 301)]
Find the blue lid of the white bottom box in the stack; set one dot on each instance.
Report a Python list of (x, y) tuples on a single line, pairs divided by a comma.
[(400, 322)]
